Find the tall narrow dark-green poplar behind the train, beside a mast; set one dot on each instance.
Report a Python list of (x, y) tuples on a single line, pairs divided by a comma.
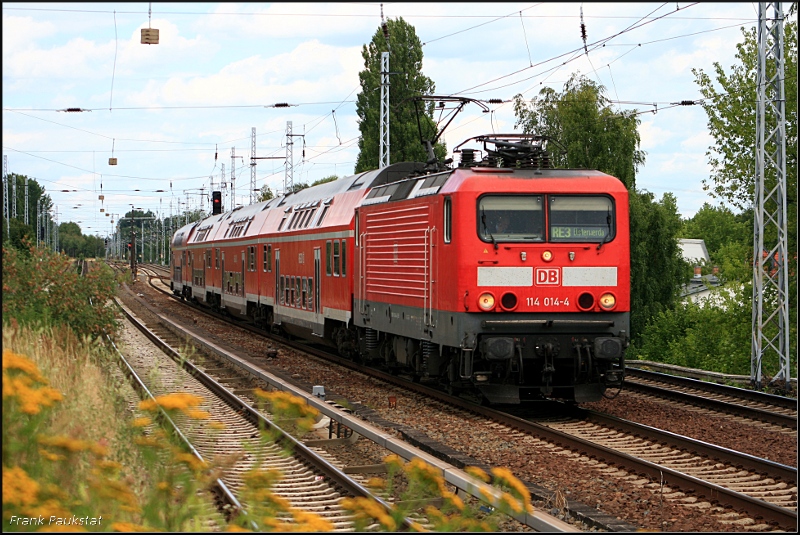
[(405, 60)]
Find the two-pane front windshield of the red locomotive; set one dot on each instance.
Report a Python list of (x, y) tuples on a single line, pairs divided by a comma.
[(570, 218)]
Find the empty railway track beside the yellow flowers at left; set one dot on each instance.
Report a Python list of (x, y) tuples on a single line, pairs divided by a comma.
[(309, 482)]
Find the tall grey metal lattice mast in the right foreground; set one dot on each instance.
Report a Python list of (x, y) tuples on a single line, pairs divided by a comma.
[(770, 258)]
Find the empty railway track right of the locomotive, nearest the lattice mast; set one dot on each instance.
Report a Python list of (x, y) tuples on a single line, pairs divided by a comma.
[(779, 412)]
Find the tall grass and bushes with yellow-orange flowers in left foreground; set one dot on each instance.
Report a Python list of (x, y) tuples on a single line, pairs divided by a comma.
[(76, 457)]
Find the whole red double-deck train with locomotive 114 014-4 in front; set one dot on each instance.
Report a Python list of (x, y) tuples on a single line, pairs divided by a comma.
[(501, 275)]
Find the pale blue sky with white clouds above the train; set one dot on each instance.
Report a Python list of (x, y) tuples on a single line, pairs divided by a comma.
[(174, 113)]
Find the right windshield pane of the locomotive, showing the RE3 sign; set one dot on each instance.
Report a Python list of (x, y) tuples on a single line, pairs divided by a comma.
[(581, 218)]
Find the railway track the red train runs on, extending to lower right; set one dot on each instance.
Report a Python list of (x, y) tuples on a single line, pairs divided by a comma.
[(737, 487)]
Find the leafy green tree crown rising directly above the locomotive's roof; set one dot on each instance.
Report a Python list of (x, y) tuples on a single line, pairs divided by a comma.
[(592, 134)]
